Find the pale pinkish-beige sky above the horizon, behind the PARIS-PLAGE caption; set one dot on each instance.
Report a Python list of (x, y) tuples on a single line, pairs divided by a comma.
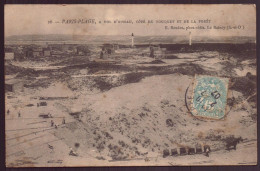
[(33, 19)]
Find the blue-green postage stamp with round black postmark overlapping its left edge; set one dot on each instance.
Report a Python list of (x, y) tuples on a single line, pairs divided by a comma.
[(207, 97)]
